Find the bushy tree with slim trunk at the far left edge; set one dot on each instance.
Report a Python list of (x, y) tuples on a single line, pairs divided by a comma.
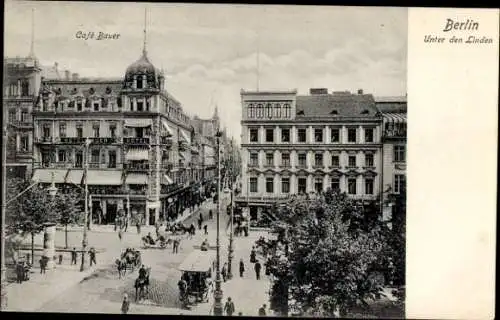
[(30, 212)]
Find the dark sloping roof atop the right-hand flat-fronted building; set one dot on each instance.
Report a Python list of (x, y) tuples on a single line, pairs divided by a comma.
[(344, 105)]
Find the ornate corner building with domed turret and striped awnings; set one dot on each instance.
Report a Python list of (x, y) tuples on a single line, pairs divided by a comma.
[(140, 154)]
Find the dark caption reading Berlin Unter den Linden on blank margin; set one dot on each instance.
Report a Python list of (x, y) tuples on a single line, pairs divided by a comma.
[(452, 25)]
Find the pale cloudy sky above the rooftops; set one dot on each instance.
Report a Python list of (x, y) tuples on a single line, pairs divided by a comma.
[(211, 51)]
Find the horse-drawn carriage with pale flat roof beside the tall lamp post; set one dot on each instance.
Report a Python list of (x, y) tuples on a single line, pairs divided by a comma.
[(196, 280)]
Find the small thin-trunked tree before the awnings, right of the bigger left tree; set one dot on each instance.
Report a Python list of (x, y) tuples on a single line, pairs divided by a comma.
[(68, 207)]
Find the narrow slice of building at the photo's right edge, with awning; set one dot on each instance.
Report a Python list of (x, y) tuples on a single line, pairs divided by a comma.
[(394, 111)]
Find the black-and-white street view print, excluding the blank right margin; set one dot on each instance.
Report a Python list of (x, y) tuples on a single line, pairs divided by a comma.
[(204, 159)]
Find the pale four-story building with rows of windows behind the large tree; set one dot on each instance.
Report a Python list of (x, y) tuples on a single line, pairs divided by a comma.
[(302, 144)]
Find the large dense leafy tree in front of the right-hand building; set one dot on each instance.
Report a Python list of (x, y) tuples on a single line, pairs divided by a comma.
[(328, 255)]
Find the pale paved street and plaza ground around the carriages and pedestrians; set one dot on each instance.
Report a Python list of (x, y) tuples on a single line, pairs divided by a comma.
[(98, 289)]
